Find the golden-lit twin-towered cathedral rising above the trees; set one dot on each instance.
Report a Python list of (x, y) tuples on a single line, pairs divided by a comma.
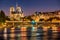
[(16, 14)]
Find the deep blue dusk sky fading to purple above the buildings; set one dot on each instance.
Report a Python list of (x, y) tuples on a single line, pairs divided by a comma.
[(31, 6)]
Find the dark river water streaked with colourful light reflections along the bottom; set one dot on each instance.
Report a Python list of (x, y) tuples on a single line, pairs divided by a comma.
[(30, 33)]
